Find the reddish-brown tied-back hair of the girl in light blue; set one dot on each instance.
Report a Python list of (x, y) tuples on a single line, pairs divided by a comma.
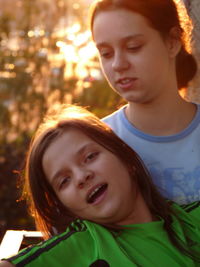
[(162, 15)]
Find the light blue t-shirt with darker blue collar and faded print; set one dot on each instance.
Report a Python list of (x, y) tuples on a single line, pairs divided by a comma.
[(173, 161)]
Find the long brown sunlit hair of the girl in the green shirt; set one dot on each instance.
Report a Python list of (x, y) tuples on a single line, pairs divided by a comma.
[(44, 205)]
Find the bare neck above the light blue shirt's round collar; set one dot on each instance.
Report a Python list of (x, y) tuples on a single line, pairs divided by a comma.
[(163, 118)]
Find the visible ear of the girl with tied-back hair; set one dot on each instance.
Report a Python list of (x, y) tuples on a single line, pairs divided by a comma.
[(174, 42)]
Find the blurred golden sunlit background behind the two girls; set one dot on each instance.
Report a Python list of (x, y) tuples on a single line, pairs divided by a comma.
[(46, 58)]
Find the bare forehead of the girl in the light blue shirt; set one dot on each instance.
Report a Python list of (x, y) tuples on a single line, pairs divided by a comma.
[(118, 23)]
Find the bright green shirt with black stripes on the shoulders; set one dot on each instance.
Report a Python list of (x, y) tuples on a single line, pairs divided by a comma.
[(136, 245)]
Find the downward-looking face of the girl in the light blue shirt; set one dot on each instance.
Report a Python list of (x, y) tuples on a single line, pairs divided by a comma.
[(137, 62)]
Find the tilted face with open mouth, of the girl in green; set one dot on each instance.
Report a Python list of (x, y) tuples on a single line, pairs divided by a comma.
[(88, 179)]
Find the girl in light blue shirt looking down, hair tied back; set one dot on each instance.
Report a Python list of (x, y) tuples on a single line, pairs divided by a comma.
[(144, 58)]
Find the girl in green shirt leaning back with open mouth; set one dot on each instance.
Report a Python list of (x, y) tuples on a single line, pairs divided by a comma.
[(85, 182)]
